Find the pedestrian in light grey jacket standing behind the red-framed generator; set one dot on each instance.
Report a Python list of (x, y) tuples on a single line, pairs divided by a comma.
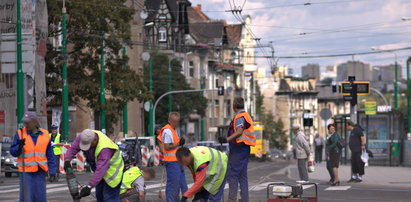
[(302, 151)]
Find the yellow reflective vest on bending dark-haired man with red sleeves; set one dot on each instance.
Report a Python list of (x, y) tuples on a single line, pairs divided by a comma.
[(216, 169)]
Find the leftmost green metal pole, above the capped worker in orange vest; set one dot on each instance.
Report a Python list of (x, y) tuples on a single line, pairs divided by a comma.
[(20, 74)]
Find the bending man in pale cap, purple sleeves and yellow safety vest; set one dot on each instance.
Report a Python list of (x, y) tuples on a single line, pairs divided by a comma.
[(105, 160)]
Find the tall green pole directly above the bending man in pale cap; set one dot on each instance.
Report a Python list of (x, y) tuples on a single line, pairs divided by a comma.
[(65, 129)]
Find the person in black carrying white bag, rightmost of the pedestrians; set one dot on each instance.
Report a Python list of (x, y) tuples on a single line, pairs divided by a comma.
[(357, 145)]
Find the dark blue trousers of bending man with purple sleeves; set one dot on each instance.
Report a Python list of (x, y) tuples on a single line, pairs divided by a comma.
[(104, 193)]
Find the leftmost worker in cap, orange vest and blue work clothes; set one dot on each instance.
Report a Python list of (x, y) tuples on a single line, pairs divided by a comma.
[(31, 144)]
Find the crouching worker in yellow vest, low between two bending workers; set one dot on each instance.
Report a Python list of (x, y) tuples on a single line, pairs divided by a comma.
[(132, 186)]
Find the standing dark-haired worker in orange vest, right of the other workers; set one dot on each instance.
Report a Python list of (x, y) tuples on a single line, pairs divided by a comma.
[(240, 137)]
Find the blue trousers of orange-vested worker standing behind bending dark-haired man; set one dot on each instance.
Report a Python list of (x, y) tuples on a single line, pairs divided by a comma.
[(176, 181)]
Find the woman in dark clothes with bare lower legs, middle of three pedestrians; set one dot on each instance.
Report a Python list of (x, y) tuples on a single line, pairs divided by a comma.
[(333, 154)]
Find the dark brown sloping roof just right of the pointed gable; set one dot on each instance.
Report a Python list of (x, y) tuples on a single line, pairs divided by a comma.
[(207, 32)]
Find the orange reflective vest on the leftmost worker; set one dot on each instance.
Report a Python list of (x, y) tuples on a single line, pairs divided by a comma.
[(34, 155)]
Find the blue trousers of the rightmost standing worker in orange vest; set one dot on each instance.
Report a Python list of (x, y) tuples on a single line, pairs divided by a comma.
[(237, 173)]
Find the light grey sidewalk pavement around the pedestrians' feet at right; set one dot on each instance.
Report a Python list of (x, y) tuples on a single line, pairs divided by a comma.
[(374, 175)]
